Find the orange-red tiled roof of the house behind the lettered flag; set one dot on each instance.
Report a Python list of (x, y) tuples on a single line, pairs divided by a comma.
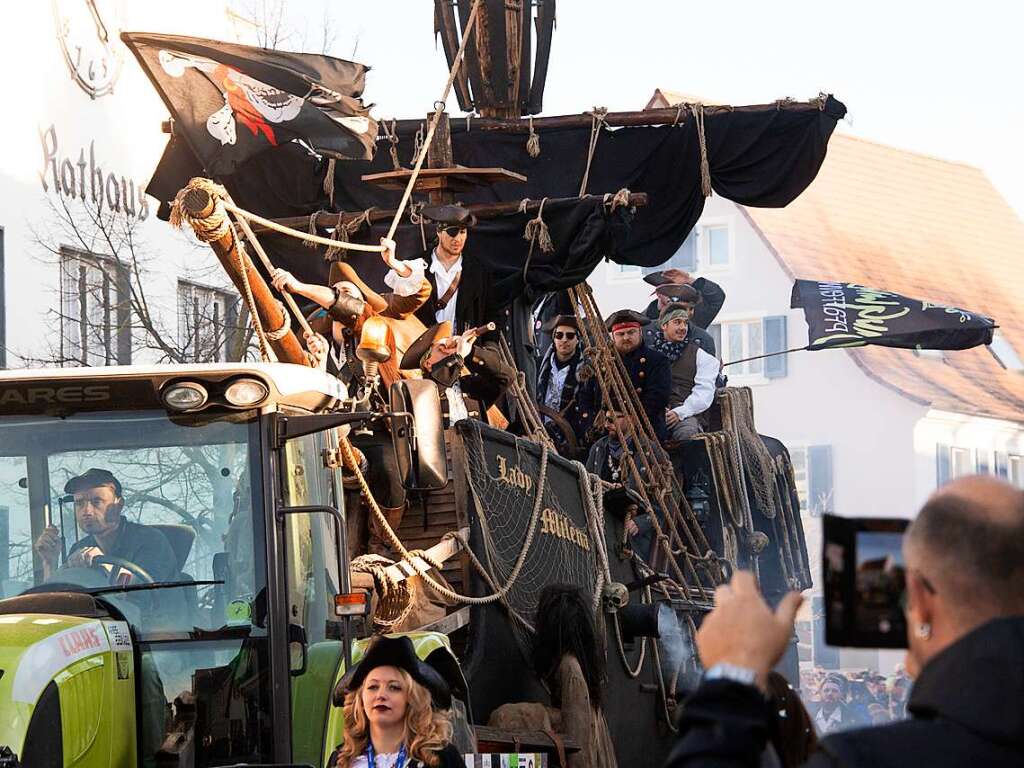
[(925, 228)]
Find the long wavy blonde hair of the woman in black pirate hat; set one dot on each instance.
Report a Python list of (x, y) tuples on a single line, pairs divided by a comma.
[(428, 730)]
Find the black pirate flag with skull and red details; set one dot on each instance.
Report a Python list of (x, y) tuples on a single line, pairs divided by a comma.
[(233, 102)]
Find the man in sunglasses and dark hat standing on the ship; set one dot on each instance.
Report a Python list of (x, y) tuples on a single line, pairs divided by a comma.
[(565, 386)]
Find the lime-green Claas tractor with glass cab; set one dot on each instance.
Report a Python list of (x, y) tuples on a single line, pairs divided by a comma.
[(230, 657)]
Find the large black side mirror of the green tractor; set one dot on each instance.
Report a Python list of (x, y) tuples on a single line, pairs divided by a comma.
[(418, 434)]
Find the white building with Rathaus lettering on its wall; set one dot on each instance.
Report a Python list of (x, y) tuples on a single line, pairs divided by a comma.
[(82, 135)]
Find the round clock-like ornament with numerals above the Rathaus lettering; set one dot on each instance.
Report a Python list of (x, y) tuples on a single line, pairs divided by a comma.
[(91, 45)]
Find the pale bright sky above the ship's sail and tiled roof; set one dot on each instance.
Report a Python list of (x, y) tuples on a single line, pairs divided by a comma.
[(938, 78)]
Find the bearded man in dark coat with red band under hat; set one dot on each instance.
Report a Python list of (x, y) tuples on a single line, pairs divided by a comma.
[(650, 370)]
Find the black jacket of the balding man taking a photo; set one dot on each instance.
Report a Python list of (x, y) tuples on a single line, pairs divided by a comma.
[(967, 710)]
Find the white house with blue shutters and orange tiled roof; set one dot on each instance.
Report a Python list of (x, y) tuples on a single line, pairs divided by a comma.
[(872, 432)]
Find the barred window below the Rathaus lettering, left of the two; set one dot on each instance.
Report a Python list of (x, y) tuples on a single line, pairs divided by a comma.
[(96, 312)]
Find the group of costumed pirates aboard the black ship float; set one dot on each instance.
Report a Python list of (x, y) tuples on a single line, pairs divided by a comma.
[(440, 322)]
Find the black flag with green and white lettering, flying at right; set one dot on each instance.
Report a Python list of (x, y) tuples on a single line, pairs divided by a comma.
[(845, 315)]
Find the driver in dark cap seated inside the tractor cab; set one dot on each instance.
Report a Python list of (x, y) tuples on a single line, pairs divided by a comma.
[(99, 506)]
